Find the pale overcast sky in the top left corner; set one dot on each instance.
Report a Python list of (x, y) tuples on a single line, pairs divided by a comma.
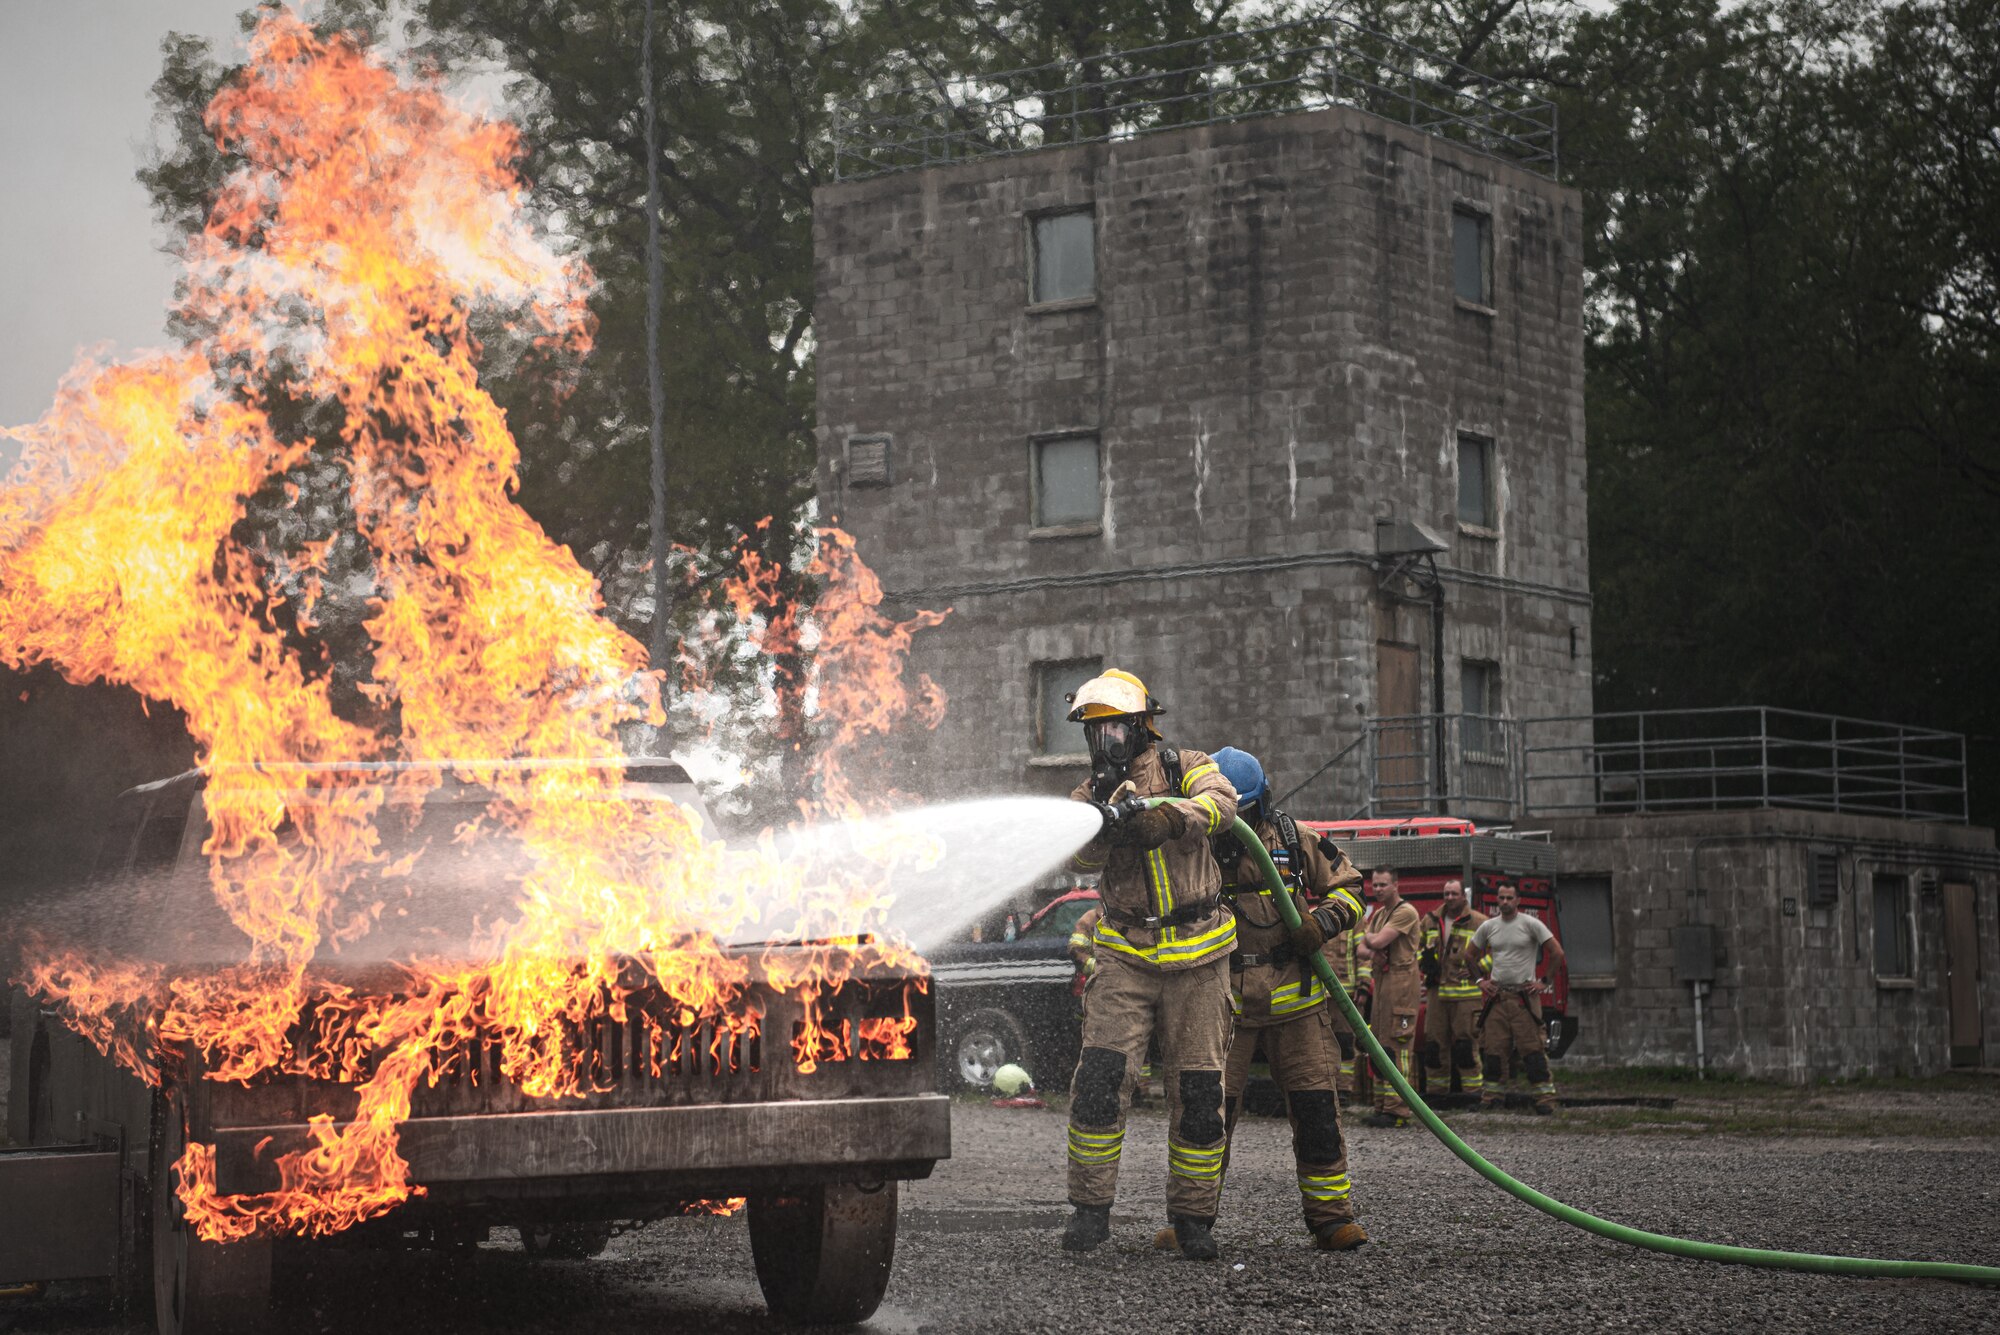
[(79, 253)]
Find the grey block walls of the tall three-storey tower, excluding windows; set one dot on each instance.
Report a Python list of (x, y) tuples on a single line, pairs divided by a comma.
[(1275, 361)]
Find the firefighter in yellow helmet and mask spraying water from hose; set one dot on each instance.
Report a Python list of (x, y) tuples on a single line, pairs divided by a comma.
[(1161, 962)]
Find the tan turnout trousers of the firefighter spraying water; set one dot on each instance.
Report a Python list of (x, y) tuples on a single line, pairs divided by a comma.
[(1189, 1010)]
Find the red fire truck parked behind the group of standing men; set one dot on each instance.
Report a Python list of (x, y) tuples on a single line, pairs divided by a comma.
[(1429, 850)]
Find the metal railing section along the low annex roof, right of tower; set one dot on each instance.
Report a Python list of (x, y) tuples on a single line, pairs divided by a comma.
[(1755, 756)]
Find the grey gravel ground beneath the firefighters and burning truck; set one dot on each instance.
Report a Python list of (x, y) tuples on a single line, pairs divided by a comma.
[(1449, 1254)]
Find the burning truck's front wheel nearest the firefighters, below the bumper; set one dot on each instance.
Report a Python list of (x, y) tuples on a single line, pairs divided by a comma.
[(823, 1254)]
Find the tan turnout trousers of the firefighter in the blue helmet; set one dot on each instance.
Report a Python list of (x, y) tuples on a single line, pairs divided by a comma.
[(1305, 1060)]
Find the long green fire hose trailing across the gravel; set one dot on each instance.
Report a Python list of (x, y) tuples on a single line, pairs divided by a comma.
[(1569, 1214)]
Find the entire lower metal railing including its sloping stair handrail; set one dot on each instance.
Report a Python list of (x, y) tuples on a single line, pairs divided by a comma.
[(1645, 762)]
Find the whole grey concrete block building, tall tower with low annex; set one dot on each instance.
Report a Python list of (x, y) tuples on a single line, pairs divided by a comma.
[(1287, 415)]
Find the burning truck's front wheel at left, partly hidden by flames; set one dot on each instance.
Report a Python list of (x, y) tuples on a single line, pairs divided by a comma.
[(197, 1286)]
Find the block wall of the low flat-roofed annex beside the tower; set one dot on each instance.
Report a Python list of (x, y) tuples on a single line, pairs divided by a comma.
[(1797, 992)]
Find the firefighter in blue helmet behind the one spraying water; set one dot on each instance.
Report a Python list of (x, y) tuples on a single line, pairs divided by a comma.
[(1277, 998)]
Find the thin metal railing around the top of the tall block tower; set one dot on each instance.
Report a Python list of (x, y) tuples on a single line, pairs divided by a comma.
[(1297, 67)]
